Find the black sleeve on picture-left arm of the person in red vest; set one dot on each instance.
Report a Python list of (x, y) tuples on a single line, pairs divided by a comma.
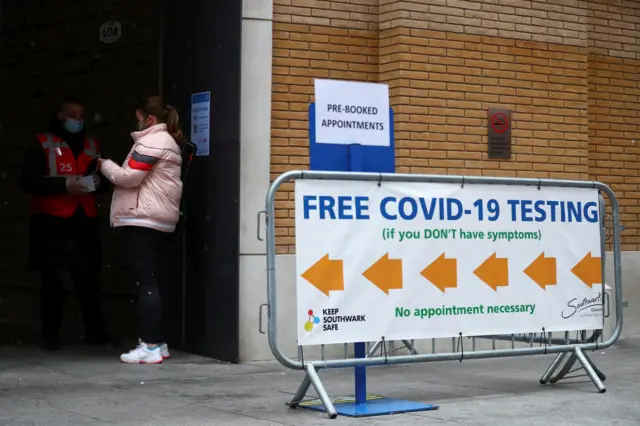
[(33, 178)]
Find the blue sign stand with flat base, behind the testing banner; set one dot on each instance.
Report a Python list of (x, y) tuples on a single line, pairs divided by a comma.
[(359, 158)]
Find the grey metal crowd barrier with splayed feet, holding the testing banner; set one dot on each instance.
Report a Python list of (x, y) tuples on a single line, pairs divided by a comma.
[(559, 346)]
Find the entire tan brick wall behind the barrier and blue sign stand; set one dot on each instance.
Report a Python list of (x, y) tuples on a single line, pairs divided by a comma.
[(565, 68)]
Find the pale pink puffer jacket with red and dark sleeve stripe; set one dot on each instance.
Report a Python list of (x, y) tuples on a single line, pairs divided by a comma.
[(148, 185)]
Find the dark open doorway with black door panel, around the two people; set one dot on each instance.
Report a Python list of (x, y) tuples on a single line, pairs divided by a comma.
[(58, 48)]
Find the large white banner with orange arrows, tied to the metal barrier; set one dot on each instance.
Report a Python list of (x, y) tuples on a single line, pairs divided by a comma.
[(418, 260)]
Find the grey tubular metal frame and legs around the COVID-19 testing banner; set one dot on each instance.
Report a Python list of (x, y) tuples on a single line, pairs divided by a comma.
[(311, 367)]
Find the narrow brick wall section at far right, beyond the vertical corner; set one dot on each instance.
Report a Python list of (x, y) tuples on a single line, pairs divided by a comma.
[(614, 106)]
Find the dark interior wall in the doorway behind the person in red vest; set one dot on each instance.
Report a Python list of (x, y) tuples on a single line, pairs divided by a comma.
[(46, 51)]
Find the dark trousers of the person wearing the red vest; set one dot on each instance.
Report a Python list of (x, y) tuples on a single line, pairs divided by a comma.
[(85, 282)]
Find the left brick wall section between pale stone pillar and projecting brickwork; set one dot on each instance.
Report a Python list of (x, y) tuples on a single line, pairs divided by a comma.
[(312, 39)]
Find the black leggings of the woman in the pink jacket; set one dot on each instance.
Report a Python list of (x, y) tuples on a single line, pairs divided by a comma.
[(144, 249)]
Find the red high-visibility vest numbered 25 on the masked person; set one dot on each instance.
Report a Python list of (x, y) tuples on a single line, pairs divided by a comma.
[(61, 162)]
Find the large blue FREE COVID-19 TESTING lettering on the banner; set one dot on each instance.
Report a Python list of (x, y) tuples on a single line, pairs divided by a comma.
[(348, 207)]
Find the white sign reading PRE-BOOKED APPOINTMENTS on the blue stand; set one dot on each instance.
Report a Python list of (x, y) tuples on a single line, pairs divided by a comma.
[(349, 112)]
